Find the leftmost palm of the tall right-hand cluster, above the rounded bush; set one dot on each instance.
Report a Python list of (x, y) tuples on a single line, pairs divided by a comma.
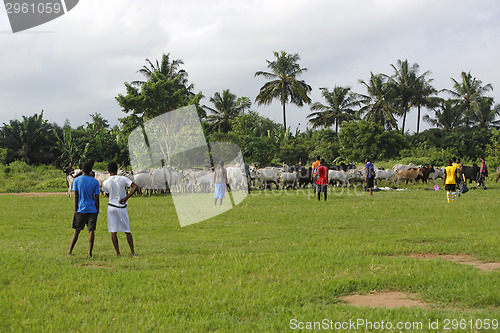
[(376, 103)]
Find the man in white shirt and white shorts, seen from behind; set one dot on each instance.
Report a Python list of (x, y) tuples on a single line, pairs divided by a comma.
[(116, 187)]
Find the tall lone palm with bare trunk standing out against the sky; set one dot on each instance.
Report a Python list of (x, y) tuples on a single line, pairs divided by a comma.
[(284, 85)]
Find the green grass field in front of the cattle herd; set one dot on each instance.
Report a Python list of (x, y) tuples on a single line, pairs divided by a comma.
[(275, 258)]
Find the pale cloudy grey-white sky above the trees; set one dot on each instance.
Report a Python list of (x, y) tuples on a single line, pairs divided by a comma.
[(76, 65)]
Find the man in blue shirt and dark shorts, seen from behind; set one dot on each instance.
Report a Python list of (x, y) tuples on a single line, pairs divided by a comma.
[(87, 192)]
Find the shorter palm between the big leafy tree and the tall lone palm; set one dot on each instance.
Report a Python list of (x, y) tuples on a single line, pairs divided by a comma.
[(226, 109)]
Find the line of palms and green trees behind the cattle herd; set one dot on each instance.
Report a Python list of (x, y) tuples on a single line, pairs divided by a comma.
[(345, 126)]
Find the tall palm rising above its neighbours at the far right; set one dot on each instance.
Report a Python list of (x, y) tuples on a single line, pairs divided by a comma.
[(468, 91)]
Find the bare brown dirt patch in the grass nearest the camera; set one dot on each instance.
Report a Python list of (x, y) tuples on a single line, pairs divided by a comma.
[(390, 299)]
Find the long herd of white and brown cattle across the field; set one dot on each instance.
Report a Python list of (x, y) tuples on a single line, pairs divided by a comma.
[(168, 179)]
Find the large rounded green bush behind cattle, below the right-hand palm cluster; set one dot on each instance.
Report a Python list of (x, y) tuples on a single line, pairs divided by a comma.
[(362, 139)]
